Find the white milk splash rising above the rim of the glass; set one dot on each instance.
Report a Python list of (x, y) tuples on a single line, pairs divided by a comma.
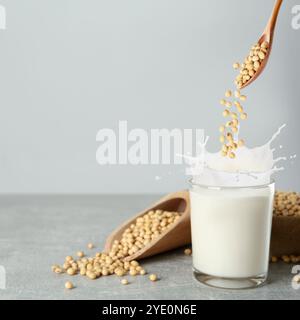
[(251, 167)]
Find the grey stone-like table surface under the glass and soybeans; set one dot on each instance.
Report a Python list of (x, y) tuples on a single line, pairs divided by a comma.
[(38, 231)]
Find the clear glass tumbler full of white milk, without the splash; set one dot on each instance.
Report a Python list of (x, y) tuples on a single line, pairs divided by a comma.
[(231, 230)]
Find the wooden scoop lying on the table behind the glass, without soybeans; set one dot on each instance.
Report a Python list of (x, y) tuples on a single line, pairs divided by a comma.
[(178, 235)]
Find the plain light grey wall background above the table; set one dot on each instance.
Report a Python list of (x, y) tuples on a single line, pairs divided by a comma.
[(71, 67)]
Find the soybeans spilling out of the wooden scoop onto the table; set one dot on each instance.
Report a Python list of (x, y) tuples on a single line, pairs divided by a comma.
[(144, 230)]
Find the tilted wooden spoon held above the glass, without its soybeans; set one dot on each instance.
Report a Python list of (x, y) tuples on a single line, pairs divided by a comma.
[(267, 36)]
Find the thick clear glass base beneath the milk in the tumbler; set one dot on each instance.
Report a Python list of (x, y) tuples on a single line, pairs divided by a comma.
[(230, 283)]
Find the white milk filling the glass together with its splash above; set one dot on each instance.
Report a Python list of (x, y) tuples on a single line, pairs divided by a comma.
[(231, 211)]
